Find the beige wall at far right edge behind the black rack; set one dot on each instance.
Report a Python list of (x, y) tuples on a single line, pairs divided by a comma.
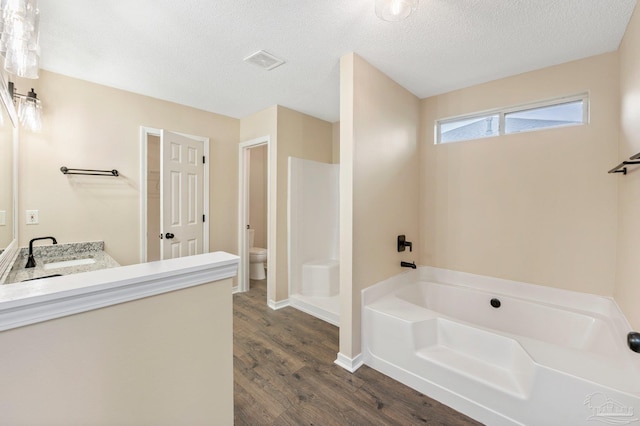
[(627, 291)]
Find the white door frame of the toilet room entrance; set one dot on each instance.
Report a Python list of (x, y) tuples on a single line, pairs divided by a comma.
[(243, 214)]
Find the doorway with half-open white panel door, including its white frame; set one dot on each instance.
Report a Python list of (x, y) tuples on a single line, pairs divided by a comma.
[(174, 194)]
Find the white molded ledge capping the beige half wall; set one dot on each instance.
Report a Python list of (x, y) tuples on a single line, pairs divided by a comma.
[(46, 299)]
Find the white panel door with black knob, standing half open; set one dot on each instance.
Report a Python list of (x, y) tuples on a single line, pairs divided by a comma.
[(182, 195)]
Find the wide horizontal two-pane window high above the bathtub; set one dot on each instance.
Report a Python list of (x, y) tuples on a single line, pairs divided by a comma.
[(567, 111)]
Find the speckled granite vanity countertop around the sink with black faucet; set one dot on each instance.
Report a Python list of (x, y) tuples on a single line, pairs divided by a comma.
[(53, 253)]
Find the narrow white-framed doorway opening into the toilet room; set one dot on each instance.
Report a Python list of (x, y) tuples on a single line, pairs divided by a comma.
[(257, 220)]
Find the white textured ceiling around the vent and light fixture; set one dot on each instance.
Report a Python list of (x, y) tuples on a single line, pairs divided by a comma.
[(191, 51)]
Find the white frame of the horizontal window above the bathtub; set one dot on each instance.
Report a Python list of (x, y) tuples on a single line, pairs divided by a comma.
[(502, 112)]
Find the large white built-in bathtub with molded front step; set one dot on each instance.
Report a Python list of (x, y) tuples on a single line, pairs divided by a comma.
[(503, 352)]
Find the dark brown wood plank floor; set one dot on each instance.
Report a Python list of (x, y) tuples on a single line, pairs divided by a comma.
[(284, 374)]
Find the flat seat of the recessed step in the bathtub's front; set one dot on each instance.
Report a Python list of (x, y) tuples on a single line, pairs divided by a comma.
[(476, 369)]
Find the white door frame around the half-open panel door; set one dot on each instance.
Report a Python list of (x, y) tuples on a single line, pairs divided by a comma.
[(145, 132)]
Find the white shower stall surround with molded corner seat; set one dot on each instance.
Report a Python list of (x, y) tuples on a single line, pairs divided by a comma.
[(314, 238)]
